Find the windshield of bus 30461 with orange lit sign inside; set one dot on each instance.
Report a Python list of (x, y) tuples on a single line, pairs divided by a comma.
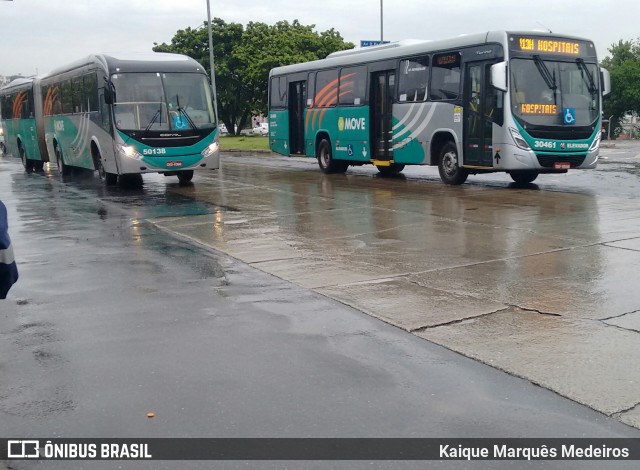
[(543, 91)]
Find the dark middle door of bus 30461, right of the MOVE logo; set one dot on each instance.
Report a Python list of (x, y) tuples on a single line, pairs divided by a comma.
[(381, 107)]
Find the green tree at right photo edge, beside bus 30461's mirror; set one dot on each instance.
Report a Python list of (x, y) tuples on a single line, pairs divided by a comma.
[(624, 66)]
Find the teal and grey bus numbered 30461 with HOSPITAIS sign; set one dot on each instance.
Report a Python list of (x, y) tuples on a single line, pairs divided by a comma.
[(524, 103)]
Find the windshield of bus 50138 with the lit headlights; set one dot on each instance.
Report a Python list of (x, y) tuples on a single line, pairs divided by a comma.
[(162, 101)]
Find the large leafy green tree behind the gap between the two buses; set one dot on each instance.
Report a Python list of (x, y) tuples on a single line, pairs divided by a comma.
[(244, 56)]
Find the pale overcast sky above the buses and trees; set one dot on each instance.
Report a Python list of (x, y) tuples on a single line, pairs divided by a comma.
[(38, 35)]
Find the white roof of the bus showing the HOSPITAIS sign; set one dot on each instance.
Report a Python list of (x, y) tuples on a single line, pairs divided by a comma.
[(408, 48)]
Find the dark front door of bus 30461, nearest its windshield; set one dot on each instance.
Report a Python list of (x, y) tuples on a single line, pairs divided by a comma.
[(479, 100)]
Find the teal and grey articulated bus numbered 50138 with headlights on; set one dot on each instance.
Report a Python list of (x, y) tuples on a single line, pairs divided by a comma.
[(119, 115)]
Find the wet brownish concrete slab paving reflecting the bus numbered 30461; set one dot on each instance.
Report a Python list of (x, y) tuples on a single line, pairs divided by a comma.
[(530, 281)]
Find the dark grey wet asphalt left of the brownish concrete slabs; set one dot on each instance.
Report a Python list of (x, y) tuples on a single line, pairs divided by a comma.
[(114, 318)]
